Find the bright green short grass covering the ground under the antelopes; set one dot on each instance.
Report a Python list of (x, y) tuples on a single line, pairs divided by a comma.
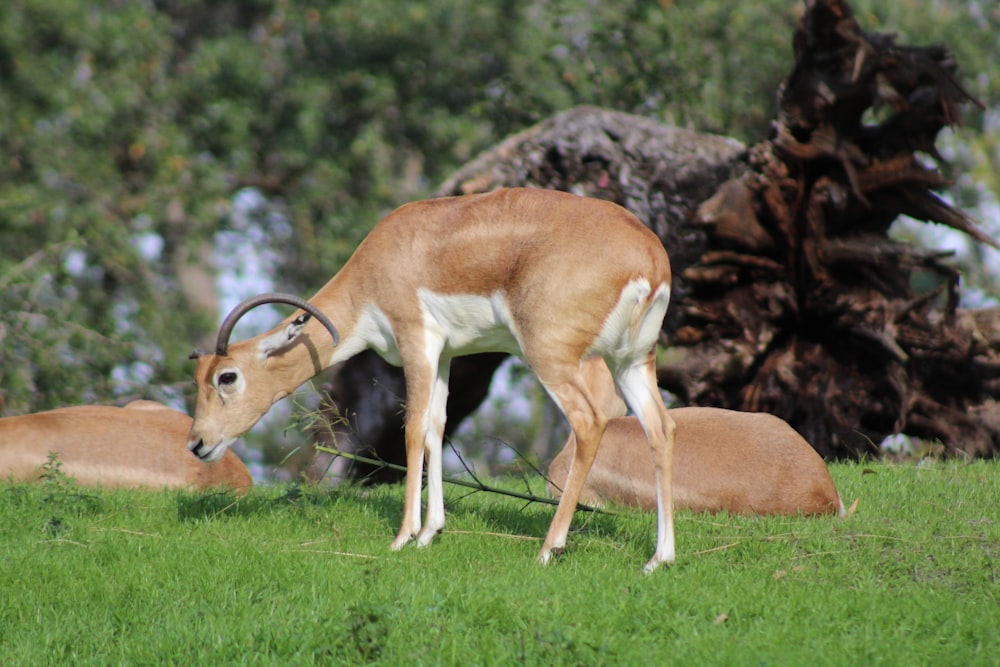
[(303, 576)]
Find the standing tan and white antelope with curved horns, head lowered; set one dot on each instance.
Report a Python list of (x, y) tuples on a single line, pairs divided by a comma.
[(546, 275)]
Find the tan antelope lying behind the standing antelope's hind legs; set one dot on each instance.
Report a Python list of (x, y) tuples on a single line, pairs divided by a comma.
[(741, 462)]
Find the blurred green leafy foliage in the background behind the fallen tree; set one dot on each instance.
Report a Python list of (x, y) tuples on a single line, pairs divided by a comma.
[(127, 124)]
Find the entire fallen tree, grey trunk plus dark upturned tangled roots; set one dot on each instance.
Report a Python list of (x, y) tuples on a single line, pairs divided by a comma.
[(789, 296)]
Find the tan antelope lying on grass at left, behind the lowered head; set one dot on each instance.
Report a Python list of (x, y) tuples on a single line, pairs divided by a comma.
[(143, 444)]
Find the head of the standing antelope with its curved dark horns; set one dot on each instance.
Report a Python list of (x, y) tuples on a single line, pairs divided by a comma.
[(239, 383)]
